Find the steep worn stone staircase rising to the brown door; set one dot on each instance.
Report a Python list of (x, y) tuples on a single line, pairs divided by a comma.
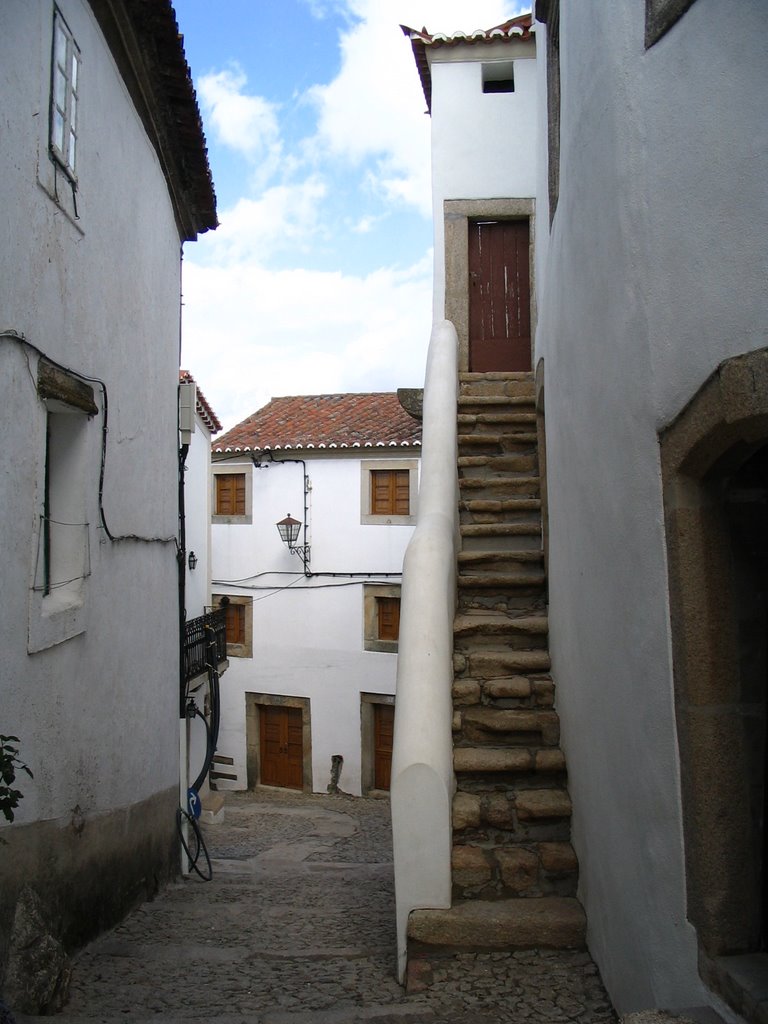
[(515, 871)]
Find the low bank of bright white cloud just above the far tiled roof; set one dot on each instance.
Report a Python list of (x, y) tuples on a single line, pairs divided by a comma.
[(251, 333)]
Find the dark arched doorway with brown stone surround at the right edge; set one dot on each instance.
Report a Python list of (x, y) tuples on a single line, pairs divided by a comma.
[(715, 473)]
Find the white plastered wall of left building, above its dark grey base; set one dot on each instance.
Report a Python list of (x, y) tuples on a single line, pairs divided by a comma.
[(98, 714)]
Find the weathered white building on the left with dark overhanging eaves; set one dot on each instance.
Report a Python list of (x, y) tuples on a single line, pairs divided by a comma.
[(105, 177)]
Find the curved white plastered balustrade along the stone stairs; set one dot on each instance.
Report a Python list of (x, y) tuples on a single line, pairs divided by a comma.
[(422, 780)]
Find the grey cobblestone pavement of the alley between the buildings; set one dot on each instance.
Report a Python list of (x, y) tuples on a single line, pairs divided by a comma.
[(297, 927)]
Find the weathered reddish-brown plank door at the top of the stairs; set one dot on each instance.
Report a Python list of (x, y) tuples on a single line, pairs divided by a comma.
[(499, 296)]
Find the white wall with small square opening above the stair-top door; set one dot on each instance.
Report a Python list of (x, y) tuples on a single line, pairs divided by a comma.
[(467, 123)]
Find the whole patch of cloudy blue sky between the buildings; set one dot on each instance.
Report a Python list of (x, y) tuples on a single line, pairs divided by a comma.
[(319, 279)]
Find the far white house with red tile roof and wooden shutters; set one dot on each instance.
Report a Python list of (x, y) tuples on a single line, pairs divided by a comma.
[(313, 632)]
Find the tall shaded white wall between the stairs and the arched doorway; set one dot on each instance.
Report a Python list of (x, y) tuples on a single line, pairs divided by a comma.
[(654, 274)]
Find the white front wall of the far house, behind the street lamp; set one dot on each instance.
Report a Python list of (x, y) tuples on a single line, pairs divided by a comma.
[(309, 633)]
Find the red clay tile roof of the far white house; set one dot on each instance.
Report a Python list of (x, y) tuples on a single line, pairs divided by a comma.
[(369, 420)]
